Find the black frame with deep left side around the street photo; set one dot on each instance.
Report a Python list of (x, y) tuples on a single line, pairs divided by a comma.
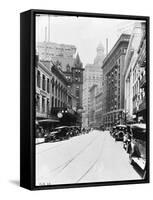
[(27, 98)]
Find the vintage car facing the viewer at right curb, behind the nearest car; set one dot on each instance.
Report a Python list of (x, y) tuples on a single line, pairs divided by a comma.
[(120, 131)]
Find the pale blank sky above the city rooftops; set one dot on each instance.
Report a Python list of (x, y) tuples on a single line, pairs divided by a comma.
[(83, 32)]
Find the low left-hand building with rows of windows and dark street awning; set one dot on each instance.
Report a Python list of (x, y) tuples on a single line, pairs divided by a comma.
[(53, 97)]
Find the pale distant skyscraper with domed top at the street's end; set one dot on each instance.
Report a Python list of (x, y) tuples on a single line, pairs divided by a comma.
[(92, 75)]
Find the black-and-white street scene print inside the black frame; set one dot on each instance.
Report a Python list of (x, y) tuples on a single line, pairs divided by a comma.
[(90, 100)]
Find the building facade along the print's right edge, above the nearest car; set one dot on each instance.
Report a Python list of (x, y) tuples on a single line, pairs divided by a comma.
[(139, 80)]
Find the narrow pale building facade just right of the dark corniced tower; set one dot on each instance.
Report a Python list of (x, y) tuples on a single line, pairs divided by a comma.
[(132, 73)]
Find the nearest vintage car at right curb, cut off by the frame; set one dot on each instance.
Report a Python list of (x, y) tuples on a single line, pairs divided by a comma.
[(137, 147)]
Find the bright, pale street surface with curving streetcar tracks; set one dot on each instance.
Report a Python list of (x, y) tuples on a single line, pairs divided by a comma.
[(94, 157)]
